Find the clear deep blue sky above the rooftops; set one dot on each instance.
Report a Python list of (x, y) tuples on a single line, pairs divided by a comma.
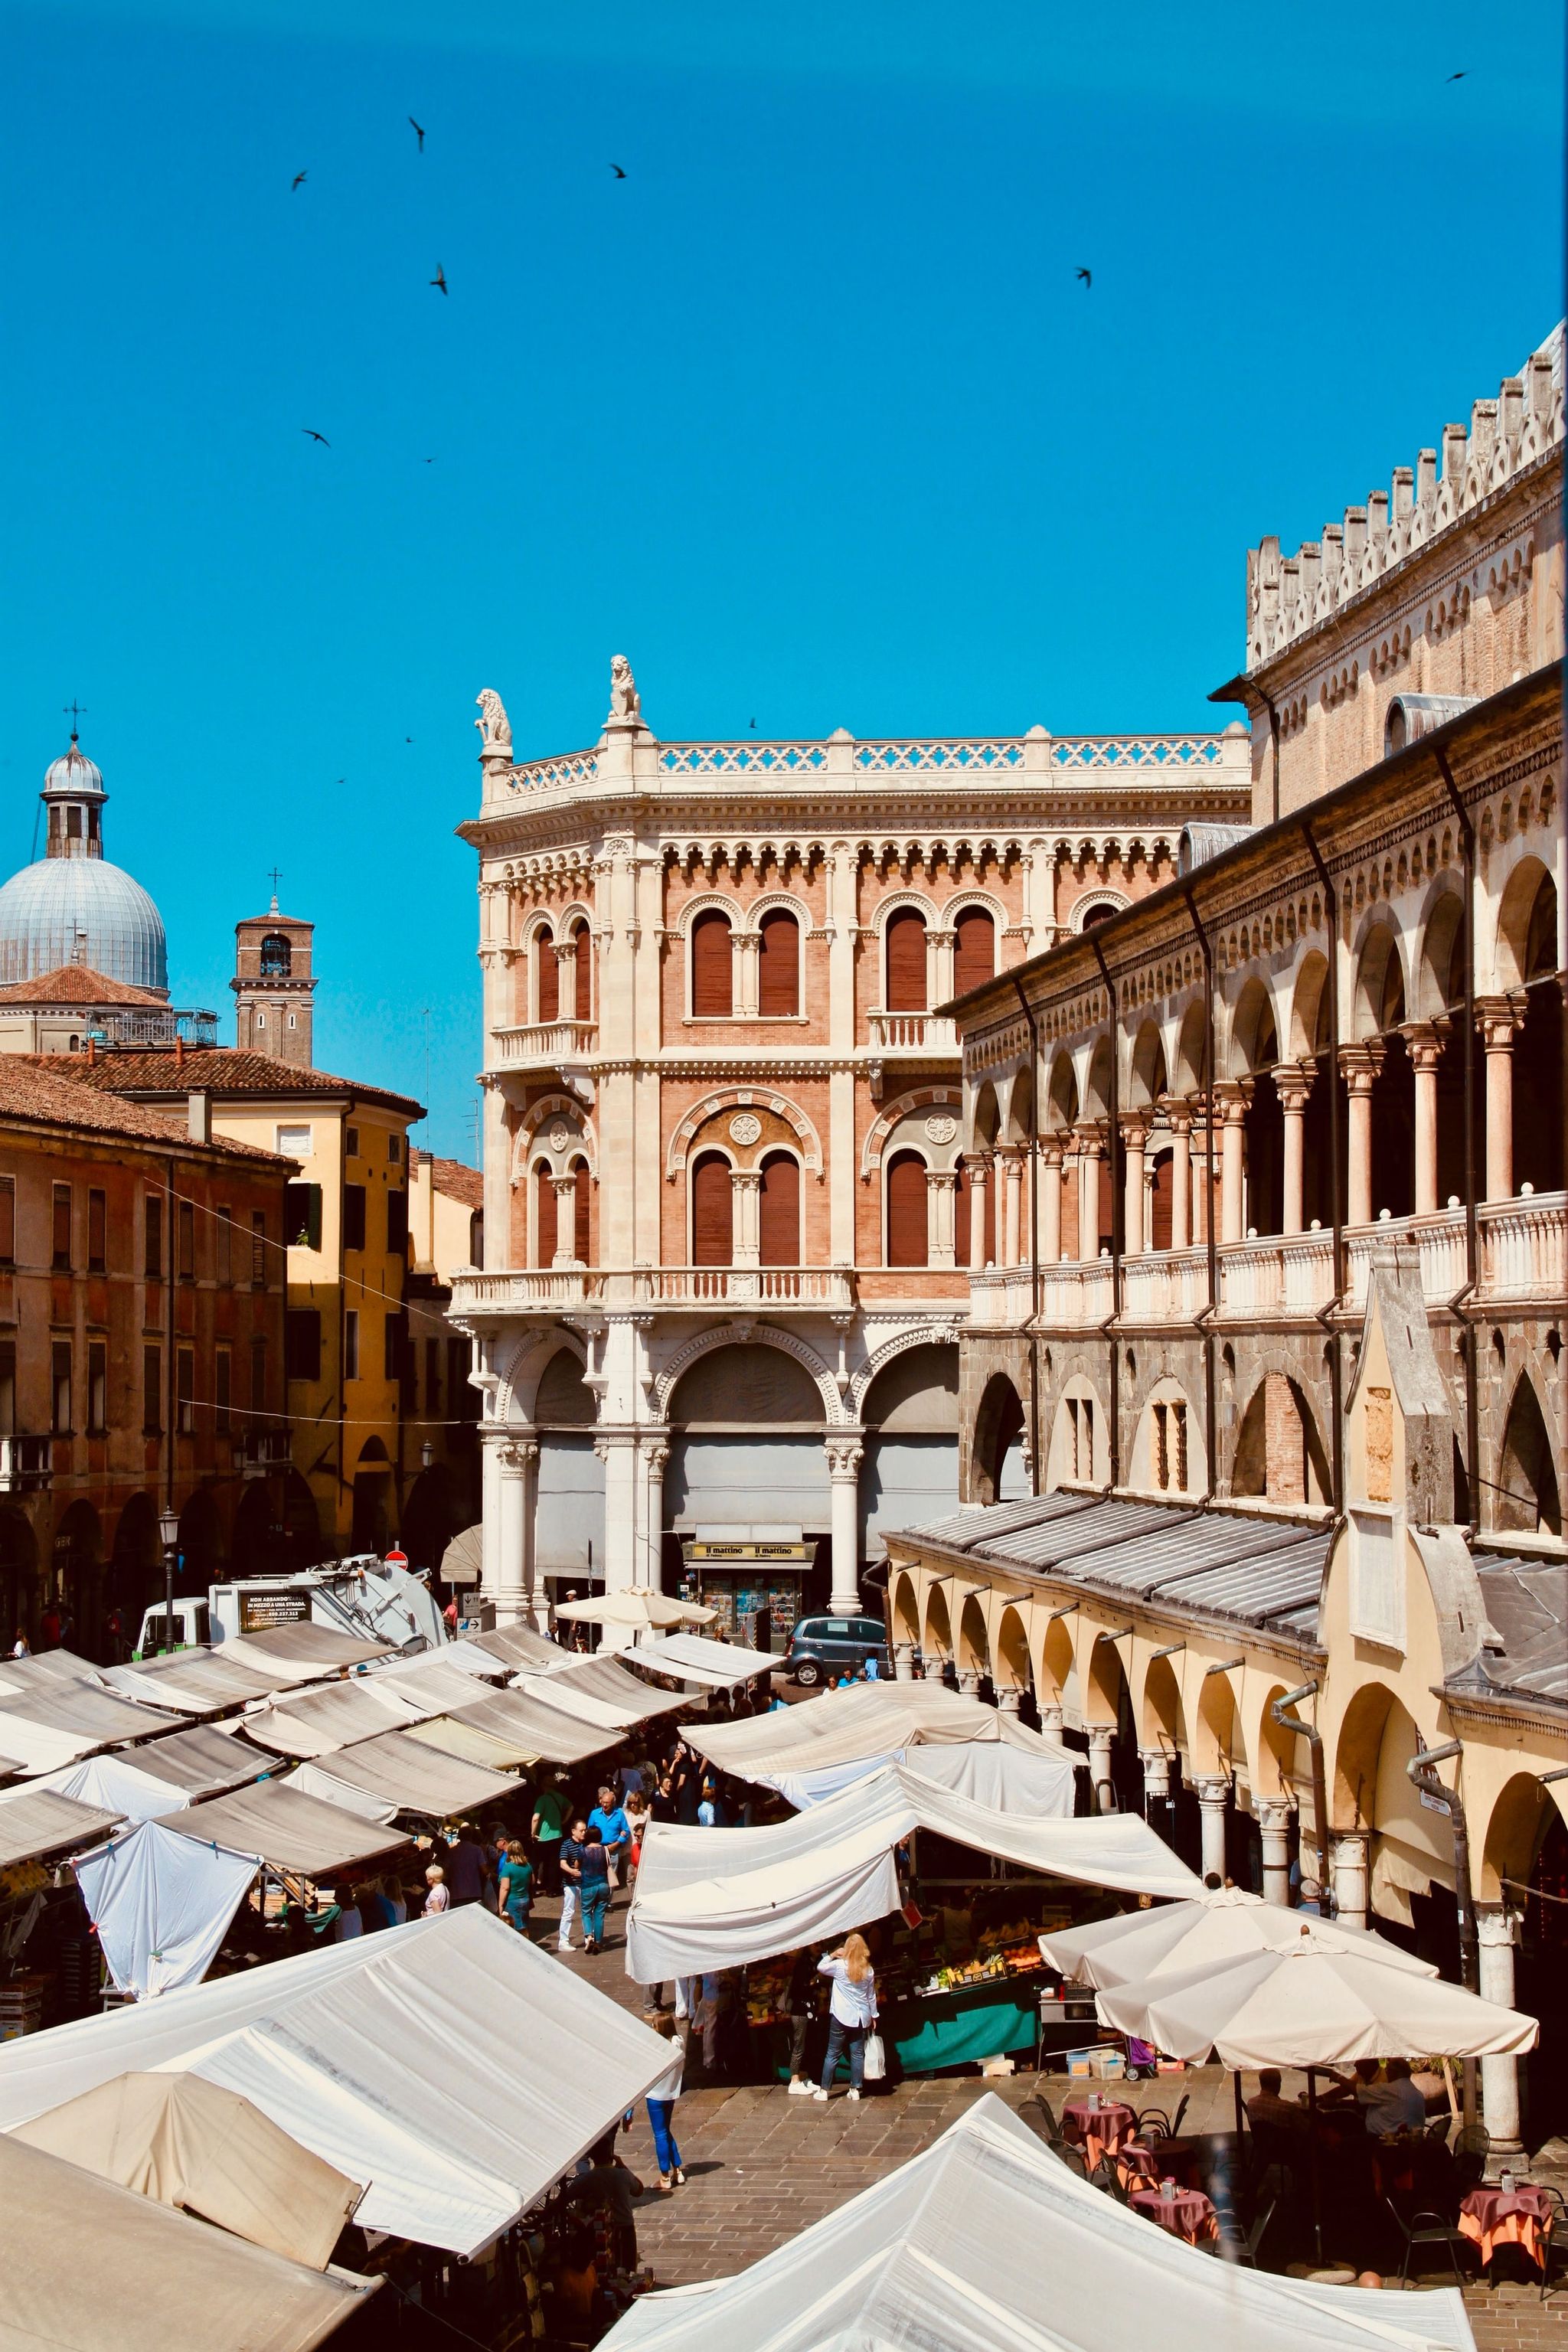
[(808, 415)]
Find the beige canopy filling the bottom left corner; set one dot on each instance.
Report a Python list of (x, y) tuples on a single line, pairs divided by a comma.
[(140, 2278)]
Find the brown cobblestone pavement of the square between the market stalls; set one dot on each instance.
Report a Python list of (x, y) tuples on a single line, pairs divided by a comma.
[(760, 2165)]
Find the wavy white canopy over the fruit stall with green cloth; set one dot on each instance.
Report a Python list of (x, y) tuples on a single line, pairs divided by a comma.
[(718, 1899)]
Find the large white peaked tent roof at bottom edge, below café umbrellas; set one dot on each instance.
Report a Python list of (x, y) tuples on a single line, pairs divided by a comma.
[(986, 2243)]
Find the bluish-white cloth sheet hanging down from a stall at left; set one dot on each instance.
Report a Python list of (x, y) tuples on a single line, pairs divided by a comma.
[(161, 1904)]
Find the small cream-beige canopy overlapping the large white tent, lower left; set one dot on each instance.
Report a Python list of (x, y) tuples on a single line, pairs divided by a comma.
[(206, 2151)]
